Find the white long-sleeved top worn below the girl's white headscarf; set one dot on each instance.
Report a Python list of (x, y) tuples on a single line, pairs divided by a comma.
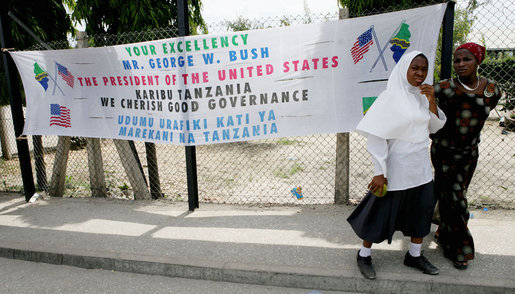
[(404, 164)]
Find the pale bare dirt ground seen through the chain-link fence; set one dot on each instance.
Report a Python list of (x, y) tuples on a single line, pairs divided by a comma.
[(266, 171)]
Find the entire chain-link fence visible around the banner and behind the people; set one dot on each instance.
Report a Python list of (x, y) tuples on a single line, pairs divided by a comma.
[(265, 171)]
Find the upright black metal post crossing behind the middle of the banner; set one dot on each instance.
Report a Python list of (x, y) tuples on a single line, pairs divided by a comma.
[(191, 157)]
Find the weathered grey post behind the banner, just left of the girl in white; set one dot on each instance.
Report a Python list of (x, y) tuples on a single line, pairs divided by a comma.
[(341, 177)]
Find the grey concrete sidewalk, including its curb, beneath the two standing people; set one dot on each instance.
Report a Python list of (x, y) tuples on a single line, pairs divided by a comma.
[(310, 247)]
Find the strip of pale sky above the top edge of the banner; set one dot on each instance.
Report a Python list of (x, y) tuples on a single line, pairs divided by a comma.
[(215, 11)]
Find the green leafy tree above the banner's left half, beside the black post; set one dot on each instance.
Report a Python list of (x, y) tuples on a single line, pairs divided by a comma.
[(119, 16)]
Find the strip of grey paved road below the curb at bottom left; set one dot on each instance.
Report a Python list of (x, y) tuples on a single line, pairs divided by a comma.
[(30, 277)]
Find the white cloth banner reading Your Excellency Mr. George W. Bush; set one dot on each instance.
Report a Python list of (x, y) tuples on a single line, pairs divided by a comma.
[(217, 88)]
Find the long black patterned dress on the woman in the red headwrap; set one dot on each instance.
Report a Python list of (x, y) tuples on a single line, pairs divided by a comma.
[(454, 154)]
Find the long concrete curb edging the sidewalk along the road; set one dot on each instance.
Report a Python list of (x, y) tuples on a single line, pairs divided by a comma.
[(281, 276)]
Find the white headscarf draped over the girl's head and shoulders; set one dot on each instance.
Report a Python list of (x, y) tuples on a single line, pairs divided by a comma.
[(400, 112)]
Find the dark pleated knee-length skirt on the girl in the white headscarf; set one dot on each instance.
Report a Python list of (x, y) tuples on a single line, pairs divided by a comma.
[(410, 211)]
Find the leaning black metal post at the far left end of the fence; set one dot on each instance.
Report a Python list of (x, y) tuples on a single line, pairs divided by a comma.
[(13, 90)]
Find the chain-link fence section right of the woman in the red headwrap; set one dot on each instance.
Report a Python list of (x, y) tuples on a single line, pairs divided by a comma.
[(493, 24)]
